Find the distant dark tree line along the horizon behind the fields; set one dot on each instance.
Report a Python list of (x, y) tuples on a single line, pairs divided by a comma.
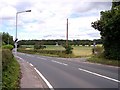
[(59, 42)]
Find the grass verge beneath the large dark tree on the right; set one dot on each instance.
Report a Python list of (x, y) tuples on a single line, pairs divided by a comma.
[(102, 60)]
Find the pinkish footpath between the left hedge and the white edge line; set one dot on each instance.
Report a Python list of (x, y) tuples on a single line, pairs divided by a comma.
[(29, 77)]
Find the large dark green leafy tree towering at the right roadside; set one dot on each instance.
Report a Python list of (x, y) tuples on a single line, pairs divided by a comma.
[(109, 27)]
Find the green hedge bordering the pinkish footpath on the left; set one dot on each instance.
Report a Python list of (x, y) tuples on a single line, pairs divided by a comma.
[(10, 73)]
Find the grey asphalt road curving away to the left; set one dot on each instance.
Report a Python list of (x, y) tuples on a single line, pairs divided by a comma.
[(67, 73)]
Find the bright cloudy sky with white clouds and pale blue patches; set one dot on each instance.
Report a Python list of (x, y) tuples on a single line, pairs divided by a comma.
[(47, 19)]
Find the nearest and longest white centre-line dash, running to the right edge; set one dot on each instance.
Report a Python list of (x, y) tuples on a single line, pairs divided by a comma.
[(99, 75)]
